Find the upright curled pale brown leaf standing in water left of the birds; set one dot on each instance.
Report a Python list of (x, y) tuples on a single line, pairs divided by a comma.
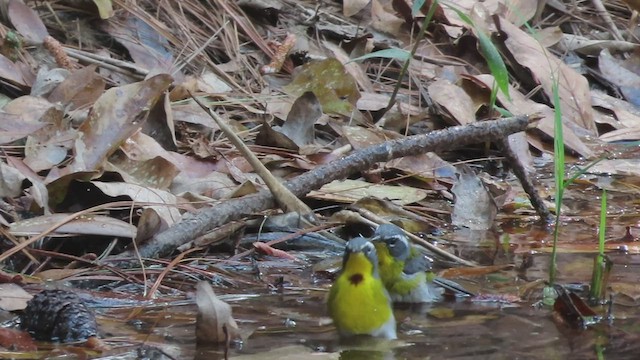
[(214, 323)]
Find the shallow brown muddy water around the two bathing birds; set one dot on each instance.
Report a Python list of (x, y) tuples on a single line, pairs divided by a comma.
[(289, 322)]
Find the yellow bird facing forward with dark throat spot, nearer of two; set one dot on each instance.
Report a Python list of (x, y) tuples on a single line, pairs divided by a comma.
[(358, 302)]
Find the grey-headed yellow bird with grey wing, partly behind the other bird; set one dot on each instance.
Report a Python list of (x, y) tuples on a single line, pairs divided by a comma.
[(403, 268)]
